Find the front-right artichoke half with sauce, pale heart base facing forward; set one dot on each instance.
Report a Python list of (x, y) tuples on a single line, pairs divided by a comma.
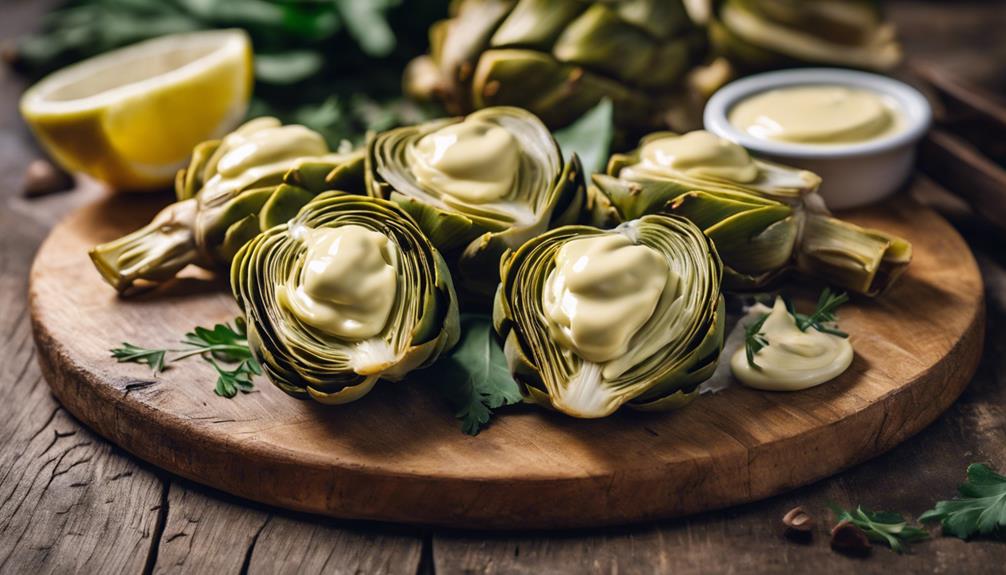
[(593, 320)]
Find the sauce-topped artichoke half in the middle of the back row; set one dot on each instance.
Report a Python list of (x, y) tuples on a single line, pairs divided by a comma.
[(478, 185)]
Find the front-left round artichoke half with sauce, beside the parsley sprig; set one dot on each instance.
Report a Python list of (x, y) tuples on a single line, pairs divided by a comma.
[(348, 293)]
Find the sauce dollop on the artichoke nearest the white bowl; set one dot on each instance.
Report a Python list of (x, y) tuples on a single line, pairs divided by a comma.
[(698, 153)]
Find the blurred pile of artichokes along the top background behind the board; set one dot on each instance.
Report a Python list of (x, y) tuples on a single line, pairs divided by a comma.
[(655, 60)]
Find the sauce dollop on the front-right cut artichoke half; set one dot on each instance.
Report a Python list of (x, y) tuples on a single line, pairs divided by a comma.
[(603, 290)]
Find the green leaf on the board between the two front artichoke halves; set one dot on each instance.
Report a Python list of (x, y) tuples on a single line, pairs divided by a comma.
[(474, 378)]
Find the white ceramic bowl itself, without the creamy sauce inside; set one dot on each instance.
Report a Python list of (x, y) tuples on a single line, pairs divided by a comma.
[(854, 174)]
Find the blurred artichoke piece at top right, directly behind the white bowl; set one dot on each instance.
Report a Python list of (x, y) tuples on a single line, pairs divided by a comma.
[(758, 35)]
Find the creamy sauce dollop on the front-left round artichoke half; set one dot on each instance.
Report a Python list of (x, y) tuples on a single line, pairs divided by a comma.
[(348, 285)]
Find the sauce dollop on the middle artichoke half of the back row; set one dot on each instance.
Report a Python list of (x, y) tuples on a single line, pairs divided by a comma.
[(474, 161)]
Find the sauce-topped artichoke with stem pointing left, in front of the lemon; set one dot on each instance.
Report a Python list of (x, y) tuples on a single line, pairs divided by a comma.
[(255, 178)]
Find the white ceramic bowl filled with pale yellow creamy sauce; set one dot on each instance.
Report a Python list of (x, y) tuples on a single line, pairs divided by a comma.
[(857, 130)]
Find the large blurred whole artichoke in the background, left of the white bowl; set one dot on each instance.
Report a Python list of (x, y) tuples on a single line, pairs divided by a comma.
[(559, 59)]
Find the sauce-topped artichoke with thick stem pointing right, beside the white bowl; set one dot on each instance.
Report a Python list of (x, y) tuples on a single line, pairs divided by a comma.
[(765, 219)]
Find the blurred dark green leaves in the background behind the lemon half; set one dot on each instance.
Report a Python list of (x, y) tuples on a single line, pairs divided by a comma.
[(334, 66)]
